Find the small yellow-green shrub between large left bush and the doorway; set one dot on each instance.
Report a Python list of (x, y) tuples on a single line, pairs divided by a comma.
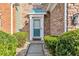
[(21, 38)]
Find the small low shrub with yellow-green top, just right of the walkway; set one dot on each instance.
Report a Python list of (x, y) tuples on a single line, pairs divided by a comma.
[(51, 42)]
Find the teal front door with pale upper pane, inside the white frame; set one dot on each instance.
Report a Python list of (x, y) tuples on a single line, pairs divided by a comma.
[(36, 27)]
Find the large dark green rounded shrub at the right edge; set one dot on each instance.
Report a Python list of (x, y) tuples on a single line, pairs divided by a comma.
[(68, 43)]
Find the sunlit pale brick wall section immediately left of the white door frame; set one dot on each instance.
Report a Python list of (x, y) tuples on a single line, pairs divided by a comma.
[(25, 9)]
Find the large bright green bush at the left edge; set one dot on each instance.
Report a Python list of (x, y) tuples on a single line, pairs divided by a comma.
[(8, 44)]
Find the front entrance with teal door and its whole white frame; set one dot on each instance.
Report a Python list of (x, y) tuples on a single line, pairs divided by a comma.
[(36, 27)]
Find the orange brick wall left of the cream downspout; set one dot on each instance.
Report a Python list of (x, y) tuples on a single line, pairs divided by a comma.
[(5, 17)]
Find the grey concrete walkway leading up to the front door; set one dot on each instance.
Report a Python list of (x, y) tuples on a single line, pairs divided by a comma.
[(35, 49)]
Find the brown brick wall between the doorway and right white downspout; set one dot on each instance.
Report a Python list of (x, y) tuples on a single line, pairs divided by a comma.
[(57, 20)]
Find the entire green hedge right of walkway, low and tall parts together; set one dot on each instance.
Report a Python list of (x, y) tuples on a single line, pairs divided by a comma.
[(66, 44)]
